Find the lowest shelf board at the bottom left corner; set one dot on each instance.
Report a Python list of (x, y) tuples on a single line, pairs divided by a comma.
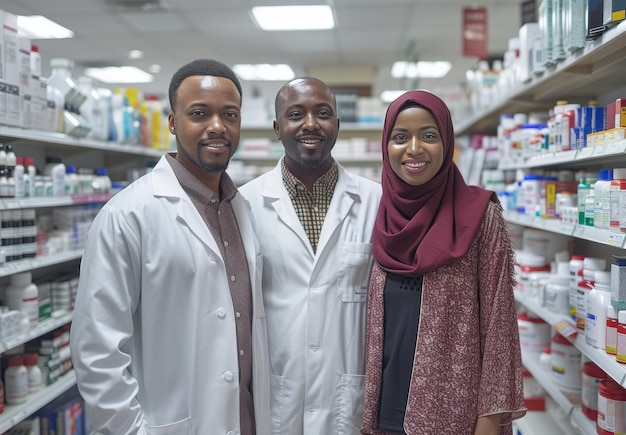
[(13, 414)]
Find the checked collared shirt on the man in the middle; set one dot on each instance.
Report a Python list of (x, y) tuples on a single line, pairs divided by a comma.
[(311, 206)]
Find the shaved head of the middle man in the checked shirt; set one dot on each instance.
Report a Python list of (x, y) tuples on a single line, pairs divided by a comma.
[(307, 125)]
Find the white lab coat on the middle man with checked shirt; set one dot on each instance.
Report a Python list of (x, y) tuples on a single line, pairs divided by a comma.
[(315, 303)]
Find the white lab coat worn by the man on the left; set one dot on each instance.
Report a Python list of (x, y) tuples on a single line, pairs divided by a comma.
[(153, 338)]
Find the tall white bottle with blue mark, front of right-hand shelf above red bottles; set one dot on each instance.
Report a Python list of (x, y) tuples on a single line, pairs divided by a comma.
[(598, 299)]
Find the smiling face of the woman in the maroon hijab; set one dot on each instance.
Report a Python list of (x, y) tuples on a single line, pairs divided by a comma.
[(415, 146)]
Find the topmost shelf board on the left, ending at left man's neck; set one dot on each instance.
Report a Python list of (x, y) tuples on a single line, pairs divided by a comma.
[(61, 139)]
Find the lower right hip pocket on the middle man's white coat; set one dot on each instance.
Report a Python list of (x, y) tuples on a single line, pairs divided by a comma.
[(349, 404)]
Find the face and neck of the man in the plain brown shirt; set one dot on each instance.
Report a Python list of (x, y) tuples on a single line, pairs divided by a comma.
[(207, 124)]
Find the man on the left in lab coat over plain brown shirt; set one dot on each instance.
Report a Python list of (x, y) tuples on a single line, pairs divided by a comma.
[(169, 332)]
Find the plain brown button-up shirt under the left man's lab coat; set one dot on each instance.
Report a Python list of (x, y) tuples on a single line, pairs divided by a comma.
[(218, 214)]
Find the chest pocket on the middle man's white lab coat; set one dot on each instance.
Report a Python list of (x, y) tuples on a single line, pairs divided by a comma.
[(355, 264)]
